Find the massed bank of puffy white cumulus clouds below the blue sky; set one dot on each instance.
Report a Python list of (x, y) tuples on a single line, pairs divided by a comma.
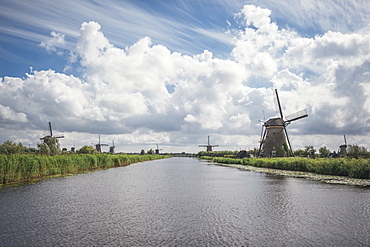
[(149, 91)]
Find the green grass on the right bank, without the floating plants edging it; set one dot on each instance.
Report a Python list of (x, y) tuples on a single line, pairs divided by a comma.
[(353, 168)]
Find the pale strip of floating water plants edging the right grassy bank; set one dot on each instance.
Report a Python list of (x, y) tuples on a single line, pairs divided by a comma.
[(333, 179)]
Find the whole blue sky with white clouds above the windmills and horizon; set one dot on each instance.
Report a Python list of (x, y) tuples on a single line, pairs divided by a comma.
[(171, 73)]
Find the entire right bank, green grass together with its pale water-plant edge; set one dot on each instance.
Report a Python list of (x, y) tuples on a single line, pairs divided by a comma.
[(339, 171)]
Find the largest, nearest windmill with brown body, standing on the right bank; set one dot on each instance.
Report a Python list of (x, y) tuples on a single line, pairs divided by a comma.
[(275, 140)]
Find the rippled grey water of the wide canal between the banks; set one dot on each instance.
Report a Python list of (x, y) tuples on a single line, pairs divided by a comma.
[(183, 202)]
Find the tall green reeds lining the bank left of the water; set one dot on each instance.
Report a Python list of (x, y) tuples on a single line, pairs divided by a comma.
[(25, 167)]
